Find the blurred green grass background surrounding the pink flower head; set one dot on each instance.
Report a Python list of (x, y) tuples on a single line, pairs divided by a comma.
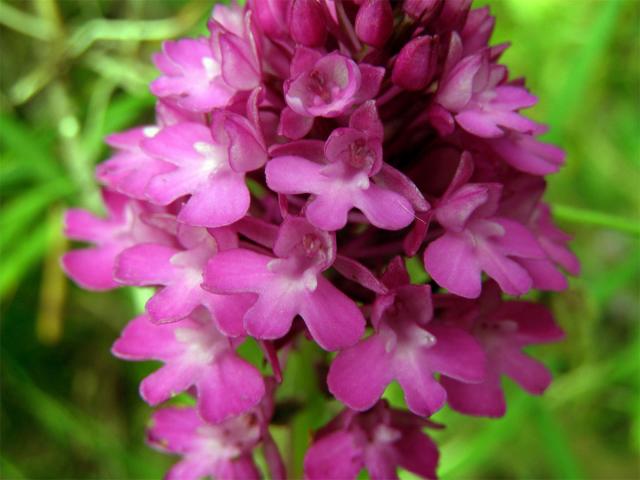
[(72, 71)]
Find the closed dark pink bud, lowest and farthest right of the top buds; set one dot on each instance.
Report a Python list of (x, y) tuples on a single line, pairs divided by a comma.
[(416, 63)]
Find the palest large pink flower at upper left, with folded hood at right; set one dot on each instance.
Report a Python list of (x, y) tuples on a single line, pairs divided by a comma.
[(209, 164)]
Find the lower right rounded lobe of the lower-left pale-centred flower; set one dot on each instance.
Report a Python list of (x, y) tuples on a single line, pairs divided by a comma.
[(228, 387)]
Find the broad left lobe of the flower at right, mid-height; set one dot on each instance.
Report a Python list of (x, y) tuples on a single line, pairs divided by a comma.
[(451, 262)]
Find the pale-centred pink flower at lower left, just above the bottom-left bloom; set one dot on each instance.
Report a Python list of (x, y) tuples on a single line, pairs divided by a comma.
[(196, 354)]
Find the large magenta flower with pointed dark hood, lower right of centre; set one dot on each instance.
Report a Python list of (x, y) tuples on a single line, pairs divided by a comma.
[(406, 346)]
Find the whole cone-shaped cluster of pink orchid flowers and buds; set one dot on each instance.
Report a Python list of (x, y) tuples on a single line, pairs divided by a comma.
[(302, 151)]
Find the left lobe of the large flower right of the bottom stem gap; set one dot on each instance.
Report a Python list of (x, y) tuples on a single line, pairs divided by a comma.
[(359, 374)]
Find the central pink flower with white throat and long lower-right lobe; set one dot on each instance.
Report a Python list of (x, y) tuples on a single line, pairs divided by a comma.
[(289, 284)]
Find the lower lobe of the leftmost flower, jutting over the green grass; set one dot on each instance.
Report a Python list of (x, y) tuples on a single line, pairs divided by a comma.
[(92, 268)]
